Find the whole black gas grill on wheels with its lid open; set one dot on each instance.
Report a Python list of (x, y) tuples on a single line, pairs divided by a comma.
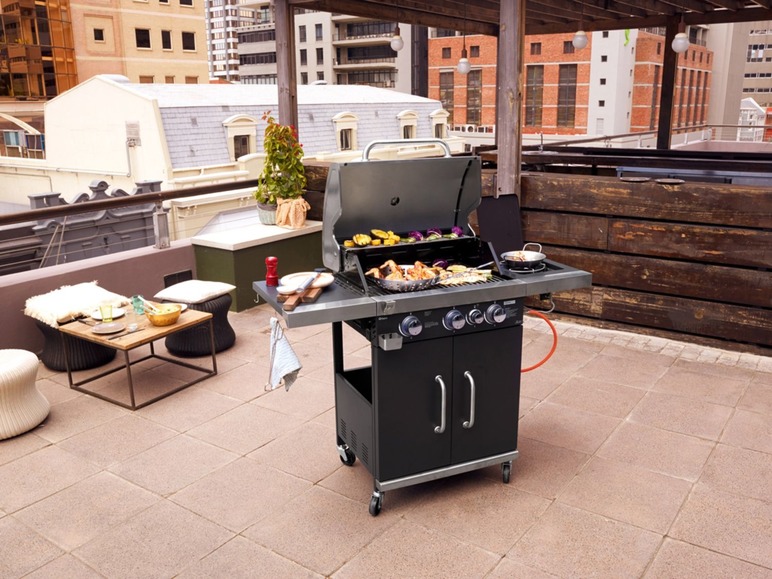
[(441, 395)]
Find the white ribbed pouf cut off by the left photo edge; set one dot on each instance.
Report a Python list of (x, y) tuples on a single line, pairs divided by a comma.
[(22, 406)]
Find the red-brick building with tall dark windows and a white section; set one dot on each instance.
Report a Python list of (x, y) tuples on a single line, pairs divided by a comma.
[(609, 87)]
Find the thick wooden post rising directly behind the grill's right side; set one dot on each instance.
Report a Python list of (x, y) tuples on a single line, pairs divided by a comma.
[(509, 96)]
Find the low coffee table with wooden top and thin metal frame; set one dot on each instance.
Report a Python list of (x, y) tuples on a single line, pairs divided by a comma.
[(126, 341)]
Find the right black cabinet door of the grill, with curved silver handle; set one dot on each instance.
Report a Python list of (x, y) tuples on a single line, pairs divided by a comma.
[(493, 360)]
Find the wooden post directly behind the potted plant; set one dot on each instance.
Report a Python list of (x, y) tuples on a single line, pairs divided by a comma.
[(285, 63)]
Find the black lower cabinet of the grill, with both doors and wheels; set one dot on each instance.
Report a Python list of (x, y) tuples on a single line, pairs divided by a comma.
[(392, 417)]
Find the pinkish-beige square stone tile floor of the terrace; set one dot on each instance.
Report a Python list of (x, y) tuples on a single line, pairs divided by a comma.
[(639, 457)]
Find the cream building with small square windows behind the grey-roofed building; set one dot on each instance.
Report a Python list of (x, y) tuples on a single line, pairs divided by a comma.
[(118, 53)]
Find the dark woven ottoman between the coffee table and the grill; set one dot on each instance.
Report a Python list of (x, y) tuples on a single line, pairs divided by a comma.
[(195, 342)]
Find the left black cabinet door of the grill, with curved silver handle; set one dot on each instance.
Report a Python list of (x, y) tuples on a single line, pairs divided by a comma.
[(408, 408)]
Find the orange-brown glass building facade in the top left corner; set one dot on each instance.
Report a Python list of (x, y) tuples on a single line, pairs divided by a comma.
[(37, 58)]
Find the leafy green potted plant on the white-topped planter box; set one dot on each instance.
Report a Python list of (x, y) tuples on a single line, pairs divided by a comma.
[(283, 179)]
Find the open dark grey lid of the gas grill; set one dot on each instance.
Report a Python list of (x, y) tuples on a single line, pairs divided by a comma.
[(397, 195)]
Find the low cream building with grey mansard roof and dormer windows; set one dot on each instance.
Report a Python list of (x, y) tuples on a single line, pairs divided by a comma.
[(179, 135)]
